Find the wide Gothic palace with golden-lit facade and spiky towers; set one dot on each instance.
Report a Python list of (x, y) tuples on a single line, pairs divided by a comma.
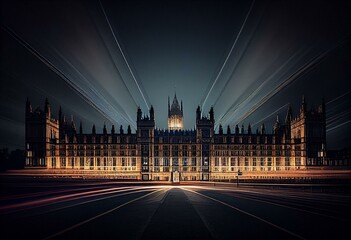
[(152, 154)]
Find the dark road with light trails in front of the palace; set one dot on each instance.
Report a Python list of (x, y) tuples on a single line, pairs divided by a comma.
[(108, 210)]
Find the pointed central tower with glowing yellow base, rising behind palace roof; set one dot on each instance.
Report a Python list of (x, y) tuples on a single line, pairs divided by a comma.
[(175, 114)]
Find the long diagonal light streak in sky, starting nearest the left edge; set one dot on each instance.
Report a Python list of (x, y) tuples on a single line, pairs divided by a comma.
[(80, 91)]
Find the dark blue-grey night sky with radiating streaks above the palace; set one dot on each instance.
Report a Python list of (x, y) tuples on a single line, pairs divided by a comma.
[(100, 60)]
